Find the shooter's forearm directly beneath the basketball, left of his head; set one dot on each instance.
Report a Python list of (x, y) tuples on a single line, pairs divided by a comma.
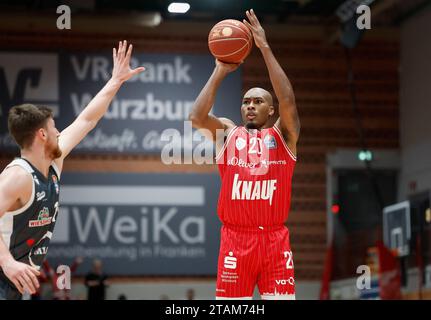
[(205, 101)]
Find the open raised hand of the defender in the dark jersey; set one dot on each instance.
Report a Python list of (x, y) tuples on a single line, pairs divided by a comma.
[(122, 71)]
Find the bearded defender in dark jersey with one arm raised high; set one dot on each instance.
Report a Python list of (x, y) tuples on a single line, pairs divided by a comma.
[(29, 186)]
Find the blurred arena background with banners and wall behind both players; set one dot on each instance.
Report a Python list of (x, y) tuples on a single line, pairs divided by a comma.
[(360, 217)]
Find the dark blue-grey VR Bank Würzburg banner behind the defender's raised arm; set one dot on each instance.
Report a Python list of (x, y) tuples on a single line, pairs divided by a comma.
[(148, 112)]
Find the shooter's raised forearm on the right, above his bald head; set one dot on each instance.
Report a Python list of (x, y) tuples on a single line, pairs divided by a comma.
[(279, 80)]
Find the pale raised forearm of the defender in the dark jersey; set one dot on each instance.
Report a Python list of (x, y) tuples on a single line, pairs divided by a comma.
[(100, 103)]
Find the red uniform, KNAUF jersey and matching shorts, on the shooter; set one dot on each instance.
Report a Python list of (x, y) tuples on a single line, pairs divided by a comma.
[(256, 169)]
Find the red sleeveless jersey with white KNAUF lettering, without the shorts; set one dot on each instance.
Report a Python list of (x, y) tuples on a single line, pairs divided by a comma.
[(256, 169)]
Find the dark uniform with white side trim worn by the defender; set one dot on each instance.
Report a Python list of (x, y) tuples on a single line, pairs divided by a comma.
[(27, 231)]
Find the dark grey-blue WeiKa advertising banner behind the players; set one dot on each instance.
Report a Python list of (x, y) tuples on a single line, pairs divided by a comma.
[(138, 224)]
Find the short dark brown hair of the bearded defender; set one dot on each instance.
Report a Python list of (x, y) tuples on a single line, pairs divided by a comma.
[(24, 120)]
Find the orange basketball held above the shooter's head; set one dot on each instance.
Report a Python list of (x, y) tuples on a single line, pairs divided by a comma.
[(230, 41)]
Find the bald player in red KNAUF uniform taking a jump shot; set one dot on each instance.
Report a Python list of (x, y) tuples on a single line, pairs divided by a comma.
[(256, 163)]
